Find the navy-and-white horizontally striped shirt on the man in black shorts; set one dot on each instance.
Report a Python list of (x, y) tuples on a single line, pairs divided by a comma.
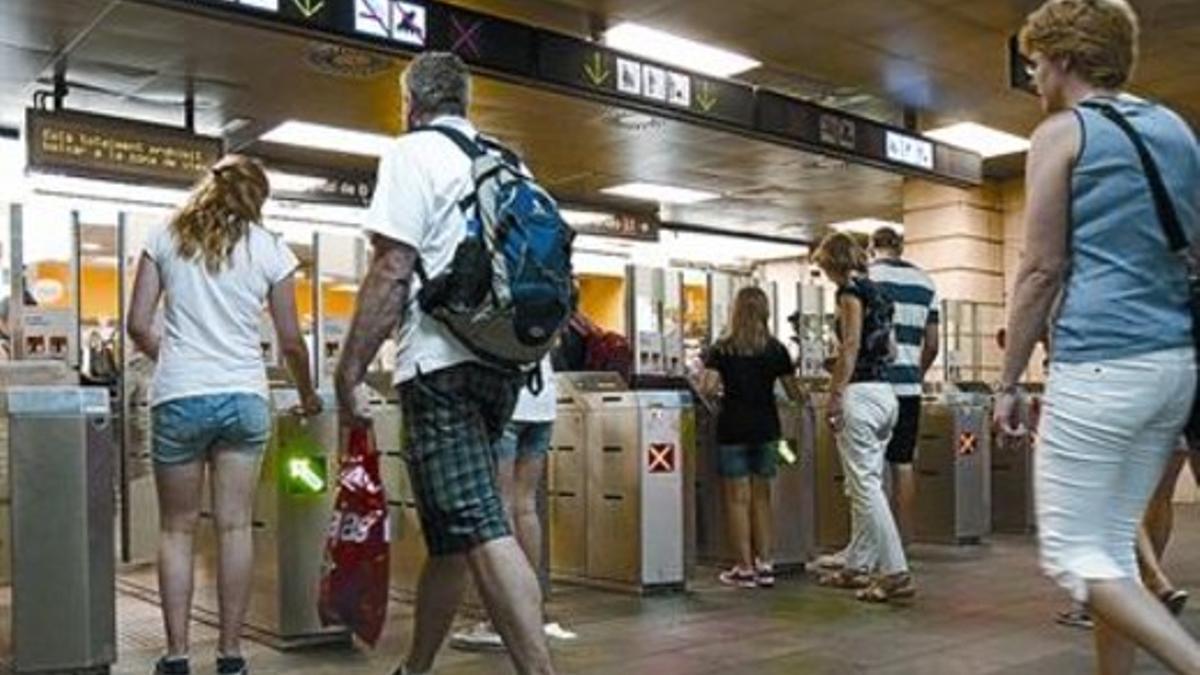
[(916, 307)]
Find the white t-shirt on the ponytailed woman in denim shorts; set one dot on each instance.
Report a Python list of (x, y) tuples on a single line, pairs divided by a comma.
[(212, 342)]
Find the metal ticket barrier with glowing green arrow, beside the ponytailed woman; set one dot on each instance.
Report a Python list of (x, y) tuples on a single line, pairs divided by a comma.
[(296, 499)]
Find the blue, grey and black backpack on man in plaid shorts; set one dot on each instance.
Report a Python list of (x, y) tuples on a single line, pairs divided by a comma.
[(508, 291)]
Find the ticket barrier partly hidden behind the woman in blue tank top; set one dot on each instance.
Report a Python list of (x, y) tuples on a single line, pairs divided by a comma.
[(1012, 479)]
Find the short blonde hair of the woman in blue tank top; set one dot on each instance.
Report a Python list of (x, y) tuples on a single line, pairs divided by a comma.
[(1099, 37)]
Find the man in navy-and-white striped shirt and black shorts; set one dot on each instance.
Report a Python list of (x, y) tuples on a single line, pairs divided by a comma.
[(917, 344)]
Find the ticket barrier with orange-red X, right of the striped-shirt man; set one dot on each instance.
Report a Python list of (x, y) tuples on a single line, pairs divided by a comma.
[(953, 469)]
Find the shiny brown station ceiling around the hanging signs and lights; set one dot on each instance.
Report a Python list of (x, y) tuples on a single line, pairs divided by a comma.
[(944, 58)]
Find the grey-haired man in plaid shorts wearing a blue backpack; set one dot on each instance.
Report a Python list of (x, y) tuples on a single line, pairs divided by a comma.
[(489, 302)]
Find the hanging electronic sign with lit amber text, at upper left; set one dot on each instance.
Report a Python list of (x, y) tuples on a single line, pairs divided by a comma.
[(115, 150)]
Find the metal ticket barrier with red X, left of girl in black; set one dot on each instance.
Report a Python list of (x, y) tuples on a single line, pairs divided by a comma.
[(621, 498)]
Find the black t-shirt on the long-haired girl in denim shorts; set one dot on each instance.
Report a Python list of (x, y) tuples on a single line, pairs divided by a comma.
[(749, 415)]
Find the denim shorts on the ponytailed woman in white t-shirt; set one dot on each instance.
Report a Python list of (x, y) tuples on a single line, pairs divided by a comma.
[(188, 431)]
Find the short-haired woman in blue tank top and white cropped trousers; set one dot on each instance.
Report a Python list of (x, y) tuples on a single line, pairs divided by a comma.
[(1099, 268)]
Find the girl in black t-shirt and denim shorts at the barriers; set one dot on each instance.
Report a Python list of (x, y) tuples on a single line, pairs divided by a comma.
[(747, 362)]
